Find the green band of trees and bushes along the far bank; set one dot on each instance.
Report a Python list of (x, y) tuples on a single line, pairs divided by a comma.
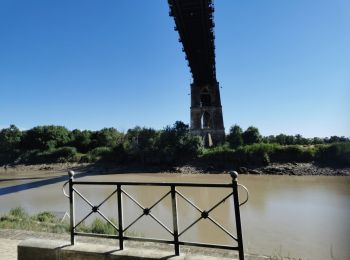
[(173, 145)]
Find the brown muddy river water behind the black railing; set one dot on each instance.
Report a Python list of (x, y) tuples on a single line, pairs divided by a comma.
[(303, 217)]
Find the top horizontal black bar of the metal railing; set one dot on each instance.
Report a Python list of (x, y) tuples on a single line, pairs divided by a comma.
[(167, 184)]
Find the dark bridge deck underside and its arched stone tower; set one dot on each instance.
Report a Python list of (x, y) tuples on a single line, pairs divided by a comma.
[(194, 23)]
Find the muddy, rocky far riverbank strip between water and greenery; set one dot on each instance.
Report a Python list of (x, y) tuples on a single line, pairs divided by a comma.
[(295, 169)]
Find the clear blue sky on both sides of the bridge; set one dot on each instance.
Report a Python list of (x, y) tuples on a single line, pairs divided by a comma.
[(284, 66)]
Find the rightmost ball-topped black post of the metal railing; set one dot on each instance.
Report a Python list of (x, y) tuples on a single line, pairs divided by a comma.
[(234, 176)]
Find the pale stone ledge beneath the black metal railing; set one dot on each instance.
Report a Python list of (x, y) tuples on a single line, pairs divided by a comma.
[(40, 249)]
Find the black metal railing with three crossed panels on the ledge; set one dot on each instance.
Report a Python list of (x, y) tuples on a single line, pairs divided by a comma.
[(147, 211)]
